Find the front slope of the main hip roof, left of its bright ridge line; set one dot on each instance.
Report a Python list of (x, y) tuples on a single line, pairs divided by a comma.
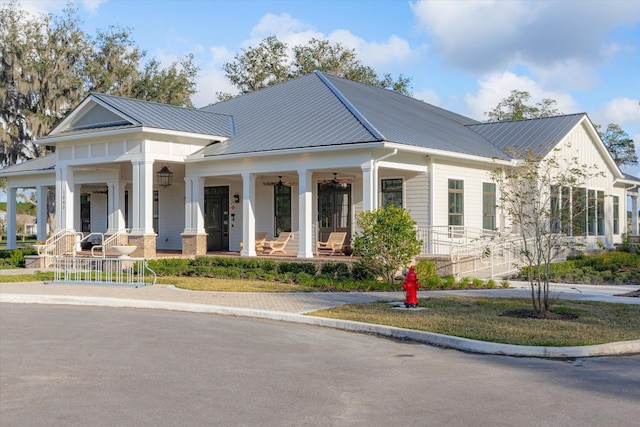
[(298, 113)]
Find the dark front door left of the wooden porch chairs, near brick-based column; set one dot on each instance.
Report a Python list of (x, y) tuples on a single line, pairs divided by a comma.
[(216, 221)]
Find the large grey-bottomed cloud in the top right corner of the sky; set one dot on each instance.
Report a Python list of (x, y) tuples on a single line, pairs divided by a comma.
[(491, 35)]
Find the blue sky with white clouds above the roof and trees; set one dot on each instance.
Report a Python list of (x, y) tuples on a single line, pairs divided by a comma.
[(465, 56)]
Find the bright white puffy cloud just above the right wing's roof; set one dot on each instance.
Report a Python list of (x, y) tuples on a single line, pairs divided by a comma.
[(494, 87)]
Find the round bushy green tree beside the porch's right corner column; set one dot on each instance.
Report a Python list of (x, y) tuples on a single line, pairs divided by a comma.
[(387, 240)]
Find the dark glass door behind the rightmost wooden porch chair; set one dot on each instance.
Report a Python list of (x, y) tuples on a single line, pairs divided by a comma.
[(334, 209)]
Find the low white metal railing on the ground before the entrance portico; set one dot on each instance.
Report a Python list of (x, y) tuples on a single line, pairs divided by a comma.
[(103, 271)]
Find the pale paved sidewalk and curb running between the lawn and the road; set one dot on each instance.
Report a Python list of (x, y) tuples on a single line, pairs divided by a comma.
[(293, 306)]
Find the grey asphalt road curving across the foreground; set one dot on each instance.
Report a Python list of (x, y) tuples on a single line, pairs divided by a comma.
[(90, 366)]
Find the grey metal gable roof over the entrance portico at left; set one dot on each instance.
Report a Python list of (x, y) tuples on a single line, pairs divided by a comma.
[(163, 116)]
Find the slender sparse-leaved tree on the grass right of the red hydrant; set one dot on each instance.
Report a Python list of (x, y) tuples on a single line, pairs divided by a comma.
[(533, 195)]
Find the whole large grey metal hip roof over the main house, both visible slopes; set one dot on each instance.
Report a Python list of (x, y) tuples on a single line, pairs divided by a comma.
[(323, 110)]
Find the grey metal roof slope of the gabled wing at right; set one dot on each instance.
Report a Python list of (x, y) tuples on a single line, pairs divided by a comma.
[(537, 135)]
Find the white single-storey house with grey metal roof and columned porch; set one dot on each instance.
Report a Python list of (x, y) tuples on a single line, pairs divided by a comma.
[(305, 156)]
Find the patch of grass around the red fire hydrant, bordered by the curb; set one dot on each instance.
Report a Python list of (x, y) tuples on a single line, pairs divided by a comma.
[(481, 319)]
